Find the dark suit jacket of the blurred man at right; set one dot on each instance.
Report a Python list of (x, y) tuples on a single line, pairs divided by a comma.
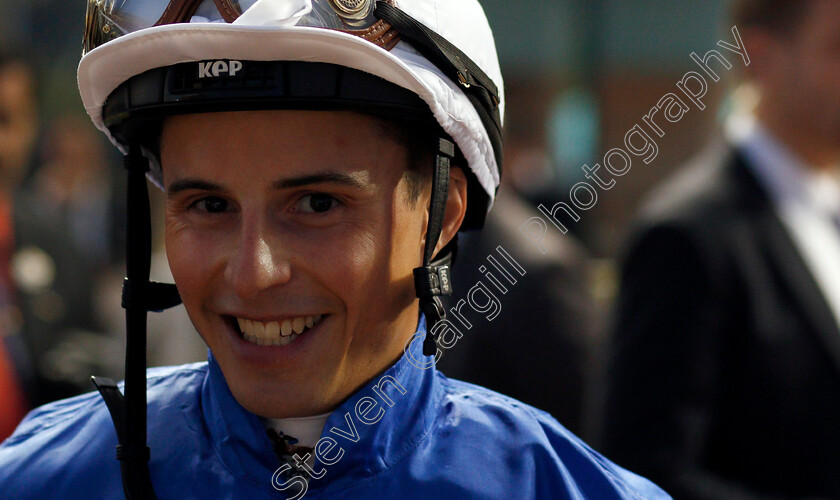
[(725, 372)]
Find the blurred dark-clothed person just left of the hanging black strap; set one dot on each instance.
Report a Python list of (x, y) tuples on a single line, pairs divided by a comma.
[(62, 249)]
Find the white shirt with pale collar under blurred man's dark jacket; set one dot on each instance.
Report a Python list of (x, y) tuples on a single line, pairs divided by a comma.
[(806, 200)]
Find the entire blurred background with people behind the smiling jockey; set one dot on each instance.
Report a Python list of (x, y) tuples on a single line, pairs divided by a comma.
[(685, 382)]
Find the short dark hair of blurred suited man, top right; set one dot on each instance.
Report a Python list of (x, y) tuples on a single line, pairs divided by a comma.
[(777, 16)]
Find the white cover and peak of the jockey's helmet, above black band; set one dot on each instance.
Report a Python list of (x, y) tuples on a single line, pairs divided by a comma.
[(125, 38)]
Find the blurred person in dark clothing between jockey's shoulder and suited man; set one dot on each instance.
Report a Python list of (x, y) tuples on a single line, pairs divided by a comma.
[(543, 344)]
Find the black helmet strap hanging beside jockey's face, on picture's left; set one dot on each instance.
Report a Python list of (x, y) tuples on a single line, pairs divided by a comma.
[(139, 296)]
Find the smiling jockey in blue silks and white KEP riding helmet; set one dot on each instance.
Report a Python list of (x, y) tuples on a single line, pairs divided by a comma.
[(308, 205)]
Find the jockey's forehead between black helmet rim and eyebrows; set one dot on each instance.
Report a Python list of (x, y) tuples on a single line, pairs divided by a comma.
[(280, 139)]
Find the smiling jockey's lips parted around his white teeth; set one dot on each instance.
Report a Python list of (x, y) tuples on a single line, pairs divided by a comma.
[(254, 354)]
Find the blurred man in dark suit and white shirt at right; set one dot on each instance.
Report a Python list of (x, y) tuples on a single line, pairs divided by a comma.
[(726, 370)]
